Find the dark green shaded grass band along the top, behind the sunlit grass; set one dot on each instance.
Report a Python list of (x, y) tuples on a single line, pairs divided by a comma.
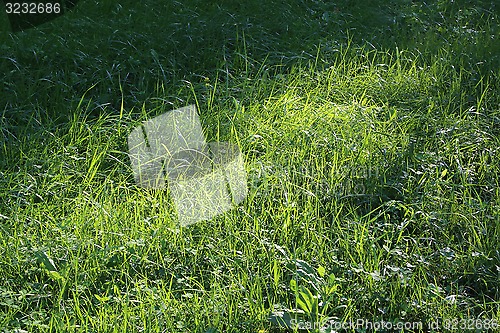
[(132, 45)]
